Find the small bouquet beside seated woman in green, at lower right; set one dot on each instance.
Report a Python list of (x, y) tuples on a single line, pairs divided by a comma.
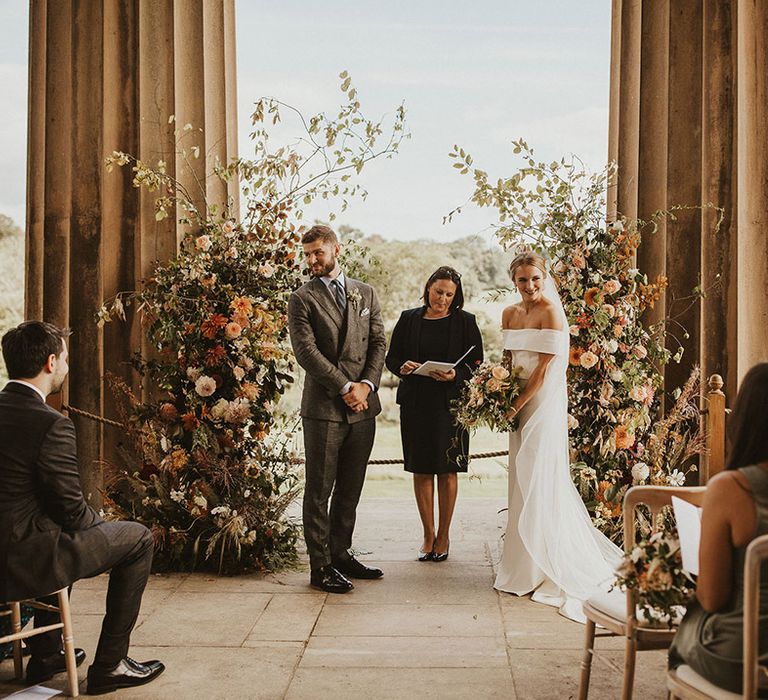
[(654, 568)]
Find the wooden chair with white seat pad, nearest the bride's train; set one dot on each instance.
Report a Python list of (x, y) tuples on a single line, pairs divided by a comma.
[(616, 611)]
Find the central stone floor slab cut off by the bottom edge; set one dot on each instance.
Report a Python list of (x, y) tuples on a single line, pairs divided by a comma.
[(387, 684)]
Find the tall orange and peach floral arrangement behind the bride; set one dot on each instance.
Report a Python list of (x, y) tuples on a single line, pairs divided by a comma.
[(558, 209)]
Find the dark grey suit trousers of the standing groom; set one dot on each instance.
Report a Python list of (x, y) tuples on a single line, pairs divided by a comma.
[(336, 461)]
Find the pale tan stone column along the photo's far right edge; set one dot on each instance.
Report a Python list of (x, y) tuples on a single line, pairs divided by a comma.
[(752, 196)]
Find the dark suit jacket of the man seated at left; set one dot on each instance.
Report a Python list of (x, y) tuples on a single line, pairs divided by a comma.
[(47, 531)]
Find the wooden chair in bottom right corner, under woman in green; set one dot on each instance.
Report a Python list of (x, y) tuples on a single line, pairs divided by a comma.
[(685, 683)]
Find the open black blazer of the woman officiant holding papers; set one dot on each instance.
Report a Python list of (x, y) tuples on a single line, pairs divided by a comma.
[(404, 345)]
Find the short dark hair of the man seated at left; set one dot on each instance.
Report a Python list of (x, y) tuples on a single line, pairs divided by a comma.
[(27, 347)]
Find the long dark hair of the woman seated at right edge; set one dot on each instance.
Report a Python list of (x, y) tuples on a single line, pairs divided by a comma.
[(748, 424)]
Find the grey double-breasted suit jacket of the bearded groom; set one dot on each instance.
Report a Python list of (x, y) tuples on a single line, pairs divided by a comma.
[(334, 349)]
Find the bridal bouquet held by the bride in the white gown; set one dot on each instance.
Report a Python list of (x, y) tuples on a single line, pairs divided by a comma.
[(487, 397)]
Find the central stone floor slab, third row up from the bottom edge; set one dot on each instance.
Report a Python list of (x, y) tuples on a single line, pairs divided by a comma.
[(409, 621)]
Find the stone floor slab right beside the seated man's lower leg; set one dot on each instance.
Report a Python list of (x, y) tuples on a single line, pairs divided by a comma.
[(212, 619)]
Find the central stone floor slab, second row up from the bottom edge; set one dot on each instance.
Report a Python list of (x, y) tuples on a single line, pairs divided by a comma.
[(405, 652)]
